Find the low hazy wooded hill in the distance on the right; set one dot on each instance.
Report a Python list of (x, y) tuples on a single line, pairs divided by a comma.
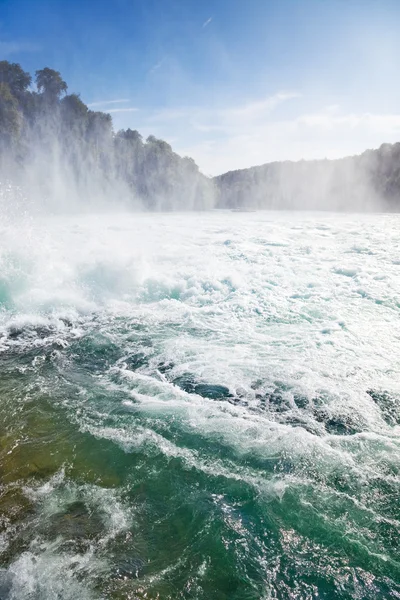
[(370, 181)]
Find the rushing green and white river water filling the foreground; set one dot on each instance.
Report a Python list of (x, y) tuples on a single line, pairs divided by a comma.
[(200, 406)]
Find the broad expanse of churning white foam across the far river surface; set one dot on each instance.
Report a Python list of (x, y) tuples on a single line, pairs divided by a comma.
[(283, 299)]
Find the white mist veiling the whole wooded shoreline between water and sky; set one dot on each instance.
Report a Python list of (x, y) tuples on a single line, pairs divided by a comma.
[(59, 156)]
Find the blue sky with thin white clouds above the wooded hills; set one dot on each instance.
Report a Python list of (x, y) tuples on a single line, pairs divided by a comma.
[(232, 83)]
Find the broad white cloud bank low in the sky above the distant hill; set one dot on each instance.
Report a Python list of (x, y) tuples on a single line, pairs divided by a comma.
[(264, 130)]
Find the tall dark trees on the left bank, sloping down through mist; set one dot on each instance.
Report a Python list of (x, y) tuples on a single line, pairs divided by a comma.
[(60, 150)]
